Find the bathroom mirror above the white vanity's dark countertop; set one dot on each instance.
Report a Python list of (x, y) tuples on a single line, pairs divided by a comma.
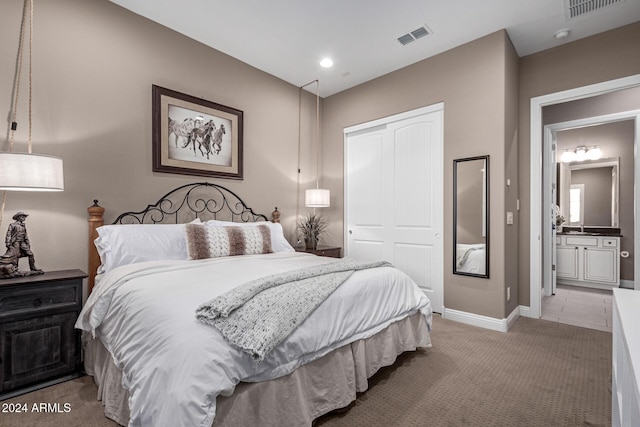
[(589, 192)]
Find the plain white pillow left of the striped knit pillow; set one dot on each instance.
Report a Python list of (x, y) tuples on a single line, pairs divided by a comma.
[(132, 243)]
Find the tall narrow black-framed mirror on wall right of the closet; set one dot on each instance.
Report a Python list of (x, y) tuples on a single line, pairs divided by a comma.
[(471, 216)]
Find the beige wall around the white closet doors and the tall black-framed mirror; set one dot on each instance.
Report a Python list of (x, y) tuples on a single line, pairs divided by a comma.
[(470, 80)]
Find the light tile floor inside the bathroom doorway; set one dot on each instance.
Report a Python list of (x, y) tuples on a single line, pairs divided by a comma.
[(586, 307)]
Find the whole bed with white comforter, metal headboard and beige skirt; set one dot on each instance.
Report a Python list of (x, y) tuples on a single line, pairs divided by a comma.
[(159, 360)]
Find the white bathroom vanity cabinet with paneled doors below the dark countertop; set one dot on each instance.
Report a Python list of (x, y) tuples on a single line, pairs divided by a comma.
[(592, 261)]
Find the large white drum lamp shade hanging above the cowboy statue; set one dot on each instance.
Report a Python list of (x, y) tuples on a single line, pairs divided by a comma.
[(30, 172)]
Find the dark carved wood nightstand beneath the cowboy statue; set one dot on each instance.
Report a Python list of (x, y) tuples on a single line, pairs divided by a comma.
[(39, 345)]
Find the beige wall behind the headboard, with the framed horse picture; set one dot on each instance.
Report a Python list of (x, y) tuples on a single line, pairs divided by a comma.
[(94, 64)]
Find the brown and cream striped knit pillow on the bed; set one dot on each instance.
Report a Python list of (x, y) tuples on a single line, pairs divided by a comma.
[(209, 241)]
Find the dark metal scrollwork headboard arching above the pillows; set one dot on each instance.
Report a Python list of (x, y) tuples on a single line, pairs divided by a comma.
[(202, 200)]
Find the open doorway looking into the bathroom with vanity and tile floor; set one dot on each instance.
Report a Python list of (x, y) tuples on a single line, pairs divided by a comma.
[(605, 186)]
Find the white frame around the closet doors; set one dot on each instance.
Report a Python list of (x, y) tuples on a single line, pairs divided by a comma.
[(439, 107)]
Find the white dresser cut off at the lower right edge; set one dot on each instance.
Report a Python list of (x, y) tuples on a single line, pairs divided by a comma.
[(625, 395)]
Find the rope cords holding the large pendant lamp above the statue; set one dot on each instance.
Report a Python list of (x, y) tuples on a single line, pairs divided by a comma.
[(27, 10)]
